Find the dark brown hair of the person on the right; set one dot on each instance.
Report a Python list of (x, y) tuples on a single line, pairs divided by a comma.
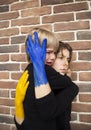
[(63, 46)]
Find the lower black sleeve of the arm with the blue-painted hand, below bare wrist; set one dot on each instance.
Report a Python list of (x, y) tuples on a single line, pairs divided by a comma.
[(52, 105)]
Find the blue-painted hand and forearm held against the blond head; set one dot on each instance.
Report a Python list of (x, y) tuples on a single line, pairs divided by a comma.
[(37, 55)]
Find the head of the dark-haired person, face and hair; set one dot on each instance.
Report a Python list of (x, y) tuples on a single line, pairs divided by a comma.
[(63, 59)]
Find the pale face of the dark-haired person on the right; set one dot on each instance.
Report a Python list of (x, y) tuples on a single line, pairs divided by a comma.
[(61, 63)]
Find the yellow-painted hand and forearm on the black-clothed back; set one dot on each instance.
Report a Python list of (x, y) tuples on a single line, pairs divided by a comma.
[(20, 95)]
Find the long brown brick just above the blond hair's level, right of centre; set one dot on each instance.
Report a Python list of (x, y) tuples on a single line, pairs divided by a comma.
[(58, 18)]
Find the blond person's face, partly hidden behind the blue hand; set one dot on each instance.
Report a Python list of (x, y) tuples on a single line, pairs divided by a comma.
[(50, 56)]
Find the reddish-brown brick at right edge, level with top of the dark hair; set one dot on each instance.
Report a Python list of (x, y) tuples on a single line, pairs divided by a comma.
[(81, 45)]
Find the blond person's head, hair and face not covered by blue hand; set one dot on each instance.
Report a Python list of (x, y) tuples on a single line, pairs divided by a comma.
[(52, 43)]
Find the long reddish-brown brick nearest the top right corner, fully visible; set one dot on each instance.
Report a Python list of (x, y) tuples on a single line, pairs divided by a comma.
[(71, 7)]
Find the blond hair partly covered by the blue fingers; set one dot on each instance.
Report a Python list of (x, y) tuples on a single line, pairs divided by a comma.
[(42, 34)]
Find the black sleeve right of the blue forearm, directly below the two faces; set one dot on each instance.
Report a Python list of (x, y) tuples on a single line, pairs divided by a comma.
[(56, 80)]
